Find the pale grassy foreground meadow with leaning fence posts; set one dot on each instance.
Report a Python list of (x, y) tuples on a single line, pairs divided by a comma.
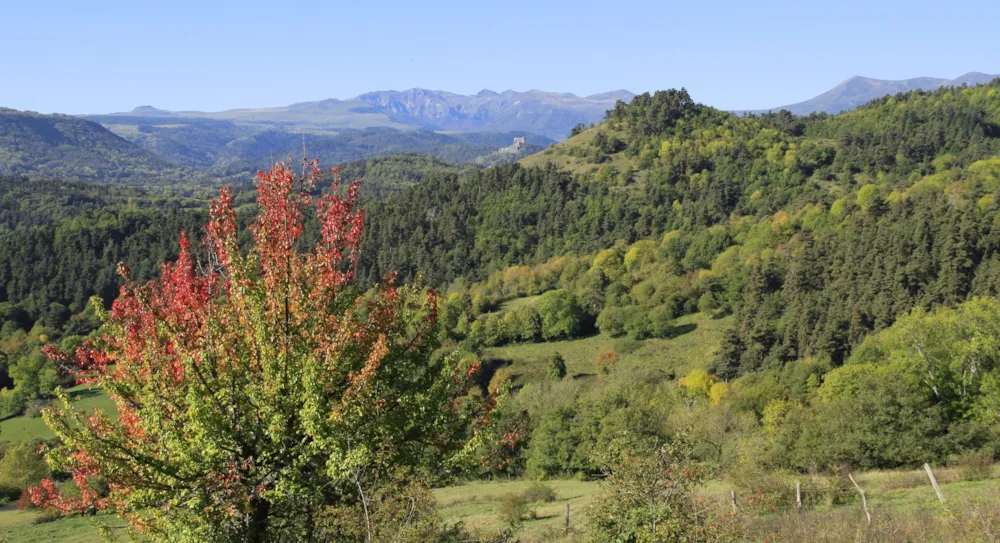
[(903, 505)]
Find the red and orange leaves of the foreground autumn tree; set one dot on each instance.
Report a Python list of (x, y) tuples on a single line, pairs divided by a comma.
[(170, 328)]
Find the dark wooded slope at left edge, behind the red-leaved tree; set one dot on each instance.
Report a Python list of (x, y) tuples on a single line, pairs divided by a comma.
[(60, 244)]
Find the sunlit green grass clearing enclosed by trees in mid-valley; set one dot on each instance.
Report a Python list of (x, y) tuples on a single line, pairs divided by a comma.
[(693, 345)]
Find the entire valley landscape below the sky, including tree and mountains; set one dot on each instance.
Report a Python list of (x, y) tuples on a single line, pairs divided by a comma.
[(644, 317)]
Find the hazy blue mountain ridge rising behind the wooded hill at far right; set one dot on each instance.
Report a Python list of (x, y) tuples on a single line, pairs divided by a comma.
[(858, 91)]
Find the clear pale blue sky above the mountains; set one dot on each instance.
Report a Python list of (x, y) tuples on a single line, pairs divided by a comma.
[(104, 56)]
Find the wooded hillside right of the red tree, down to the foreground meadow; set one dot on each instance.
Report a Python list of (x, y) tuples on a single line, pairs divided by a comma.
[(848, 251)]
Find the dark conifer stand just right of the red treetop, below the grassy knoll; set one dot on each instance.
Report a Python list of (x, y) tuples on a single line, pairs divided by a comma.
[(449, 227)]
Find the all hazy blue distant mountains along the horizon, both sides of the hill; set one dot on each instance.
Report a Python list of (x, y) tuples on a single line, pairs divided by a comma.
[(150, 145)]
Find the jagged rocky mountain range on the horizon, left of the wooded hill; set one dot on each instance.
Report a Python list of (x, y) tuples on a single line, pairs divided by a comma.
[(551, 114)]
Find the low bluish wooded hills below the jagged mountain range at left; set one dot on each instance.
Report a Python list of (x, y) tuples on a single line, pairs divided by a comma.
[(168, 150)]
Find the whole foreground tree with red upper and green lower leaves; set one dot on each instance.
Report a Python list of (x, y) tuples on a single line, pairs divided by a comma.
[(257, 389)]
